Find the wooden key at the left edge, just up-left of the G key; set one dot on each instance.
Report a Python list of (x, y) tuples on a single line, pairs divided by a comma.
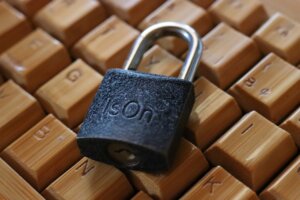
[(34, 60)]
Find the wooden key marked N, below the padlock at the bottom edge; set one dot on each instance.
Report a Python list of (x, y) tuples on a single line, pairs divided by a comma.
[(90, 179)]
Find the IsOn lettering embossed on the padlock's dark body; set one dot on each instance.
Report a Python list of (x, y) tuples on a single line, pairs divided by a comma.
[(130, 110)]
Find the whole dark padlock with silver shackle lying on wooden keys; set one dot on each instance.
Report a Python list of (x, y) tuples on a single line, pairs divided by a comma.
[(136, 119)]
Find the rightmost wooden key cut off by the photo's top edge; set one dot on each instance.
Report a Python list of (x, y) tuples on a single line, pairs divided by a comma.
[(248, 14)]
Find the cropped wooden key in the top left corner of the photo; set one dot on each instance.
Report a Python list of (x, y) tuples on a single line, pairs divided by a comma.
[(13, 26)]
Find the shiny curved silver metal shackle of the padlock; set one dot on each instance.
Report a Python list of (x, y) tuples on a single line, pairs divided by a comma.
[(156, 31)]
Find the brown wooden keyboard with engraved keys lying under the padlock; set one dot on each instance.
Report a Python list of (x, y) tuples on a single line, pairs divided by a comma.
[(242, 139)]
